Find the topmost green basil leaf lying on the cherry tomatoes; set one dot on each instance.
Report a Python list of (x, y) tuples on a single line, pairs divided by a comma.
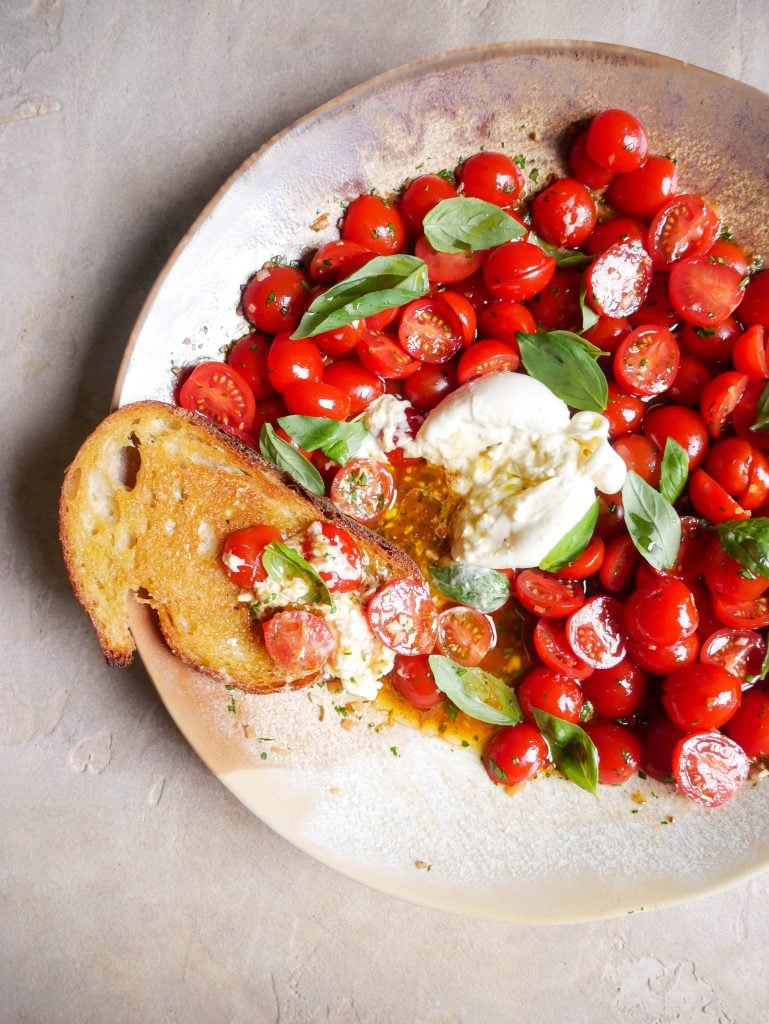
[(465, 225)]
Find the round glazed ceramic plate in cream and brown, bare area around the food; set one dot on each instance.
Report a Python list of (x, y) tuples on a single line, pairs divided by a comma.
[(403, 813)]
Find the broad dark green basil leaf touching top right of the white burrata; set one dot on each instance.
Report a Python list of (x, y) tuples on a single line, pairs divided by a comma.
[(567, 368)]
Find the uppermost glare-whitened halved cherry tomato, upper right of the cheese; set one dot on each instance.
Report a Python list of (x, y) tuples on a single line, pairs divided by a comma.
[(618, 281)]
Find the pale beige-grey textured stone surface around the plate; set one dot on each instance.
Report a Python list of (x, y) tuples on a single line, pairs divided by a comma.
[(133, 887)]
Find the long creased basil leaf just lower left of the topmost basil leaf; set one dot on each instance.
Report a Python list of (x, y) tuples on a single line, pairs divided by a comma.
[(383, 283)]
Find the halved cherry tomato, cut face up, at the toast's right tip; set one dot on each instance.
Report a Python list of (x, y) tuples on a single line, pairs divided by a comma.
[(403, 616)]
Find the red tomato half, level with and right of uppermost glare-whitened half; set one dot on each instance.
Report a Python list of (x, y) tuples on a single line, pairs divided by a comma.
[(705, 293)]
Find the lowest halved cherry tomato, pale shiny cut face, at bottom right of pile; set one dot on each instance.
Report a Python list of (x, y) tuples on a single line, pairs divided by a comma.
[(709, 767)]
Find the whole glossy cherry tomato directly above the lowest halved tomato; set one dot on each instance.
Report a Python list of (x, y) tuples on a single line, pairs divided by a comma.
[(701, 697)]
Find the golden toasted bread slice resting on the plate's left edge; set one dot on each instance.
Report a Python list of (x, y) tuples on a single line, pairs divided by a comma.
[(146, 507)]
